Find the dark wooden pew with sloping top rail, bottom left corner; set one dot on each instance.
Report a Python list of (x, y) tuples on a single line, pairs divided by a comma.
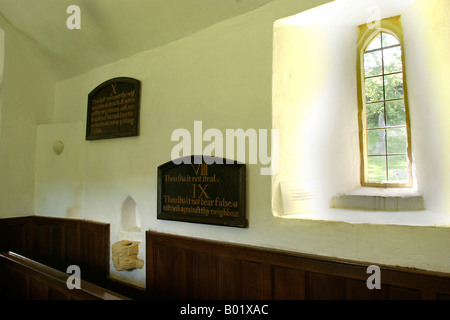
[(24, 279)]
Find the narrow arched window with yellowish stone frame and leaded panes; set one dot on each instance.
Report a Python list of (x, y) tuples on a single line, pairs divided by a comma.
[(383, 115)]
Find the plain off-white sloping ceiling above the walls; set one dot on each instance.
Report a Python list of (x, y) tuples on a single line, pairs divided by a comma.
[(115, 29)]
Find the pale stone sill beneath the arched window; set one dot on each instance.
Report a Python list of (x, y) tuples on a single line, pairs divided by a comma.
[(379, 199)]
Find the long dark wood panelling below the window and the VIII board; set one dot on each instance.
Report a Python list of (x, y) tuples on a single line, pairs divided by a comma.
[(186, 268)]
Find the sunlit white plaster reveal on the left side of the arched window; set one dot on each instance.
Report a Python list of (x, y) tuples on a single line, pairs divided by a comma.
[(315, 108)]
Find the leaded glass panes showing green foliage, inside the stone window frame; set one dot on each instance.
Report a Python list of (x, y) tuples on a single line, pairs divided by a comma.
[(386, 131)]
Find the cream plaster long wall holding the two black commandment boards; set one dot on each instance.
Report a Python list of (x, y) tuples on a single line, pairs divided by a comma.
[(222, 76)]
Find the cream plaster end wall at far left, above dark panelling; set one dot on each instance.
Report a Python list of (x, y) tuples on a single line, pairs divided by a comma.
[(27, 95)]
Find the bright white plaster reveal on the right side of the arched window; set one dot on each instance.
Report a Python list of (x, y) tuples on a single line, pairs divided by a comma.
[(427, 34)]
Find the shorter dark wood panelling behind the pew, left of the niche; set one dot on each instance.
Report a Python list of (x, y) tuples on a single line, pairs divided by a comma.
[(59, 243)]
